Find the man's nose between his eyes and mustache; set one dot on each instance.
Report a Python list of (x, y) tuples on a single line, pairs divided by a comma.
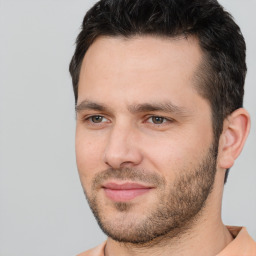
[(122, 149)]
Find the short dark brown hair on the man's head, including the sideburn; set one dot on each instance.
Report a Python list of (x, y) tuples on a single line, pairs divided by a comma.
[(222, 73)]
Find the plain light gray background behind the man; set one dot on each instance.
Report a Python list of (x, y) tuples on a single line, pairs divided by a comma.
[(43, 211)]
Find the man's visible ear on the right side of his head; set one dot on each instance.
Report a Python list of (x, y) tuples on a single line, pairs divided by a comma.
[(235, 131)]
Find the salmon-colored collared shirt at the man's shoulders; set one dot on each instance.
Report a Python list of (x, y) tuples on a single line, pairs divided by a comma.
[(242, 245)]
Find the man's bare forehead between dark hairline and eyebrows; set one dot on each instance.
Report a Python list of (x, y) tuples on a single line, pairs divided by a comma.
[(139, 66)]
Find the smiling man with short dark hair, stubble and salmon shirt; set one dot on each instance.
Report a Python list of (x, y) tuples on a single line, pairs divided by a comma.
[(159, 93)]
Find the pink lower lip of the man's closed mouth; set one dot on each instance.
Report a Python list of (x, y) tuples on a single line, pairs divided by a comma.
[(124, 195)]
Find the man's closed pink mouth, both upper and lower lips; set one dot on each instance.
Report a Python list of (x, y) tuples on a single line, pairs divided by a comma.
[(125, 191)]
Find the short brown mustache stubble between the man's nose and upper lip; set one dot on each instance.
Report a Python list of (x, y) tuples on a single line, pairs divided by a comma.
[(130, 174)]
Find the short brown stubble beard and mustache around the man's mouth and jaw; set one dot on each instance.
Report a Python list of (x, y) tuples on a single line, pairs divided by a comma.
[(175, 211)]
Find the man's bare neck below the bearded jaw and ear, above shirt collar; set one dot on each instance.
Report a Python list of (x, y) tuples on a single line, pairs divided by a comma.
[(206, 229)]
